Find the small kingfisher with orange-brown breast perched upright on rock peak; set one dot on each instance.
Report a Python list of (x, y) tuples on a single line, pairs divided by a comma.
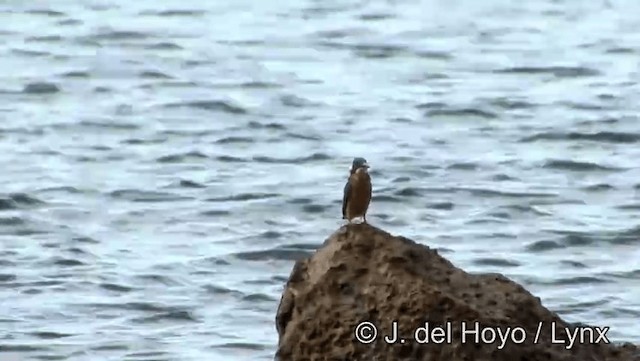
[(357, 191)]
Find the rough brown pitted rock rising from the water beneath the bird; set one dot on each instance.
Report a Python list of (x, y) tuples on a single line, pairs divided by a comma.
[(362, 273)]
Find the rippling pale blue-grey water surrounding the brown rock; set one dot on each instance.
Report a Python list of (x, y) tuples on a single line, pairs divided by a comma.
[(163, 166)]
